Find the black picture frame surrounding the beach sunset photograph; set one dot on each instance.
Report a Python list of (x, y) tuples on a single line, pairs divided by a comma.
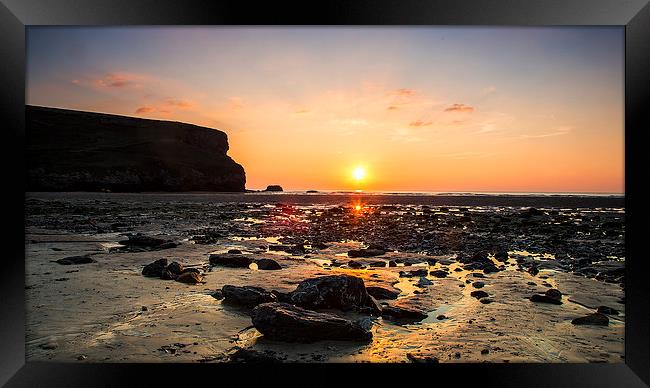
[(15, 15)]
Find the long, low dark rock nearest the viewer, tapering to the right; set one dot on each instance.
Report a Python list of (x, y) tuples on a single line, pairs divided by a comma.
[(285, 322)]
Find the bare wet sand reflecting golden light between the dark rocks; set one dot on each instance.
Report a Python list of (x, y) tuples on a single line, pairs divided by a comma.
[(107, 311)]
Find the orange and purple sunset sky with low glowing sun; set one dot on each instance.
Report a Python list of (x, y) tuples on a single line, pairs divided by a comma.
[(414, 109)]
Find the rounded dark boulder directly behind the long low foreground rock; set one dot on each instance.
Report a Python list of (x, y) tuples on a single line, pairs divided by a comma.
[(343, 292)]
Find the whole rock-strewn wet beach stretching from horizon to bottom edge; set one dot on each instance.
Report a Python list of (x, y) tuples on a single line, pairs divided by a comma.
[(453, 278)]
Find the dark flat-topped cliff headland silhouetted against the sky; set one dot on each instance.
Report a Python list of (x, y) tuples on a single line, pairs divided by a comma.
[(71, 150)]
